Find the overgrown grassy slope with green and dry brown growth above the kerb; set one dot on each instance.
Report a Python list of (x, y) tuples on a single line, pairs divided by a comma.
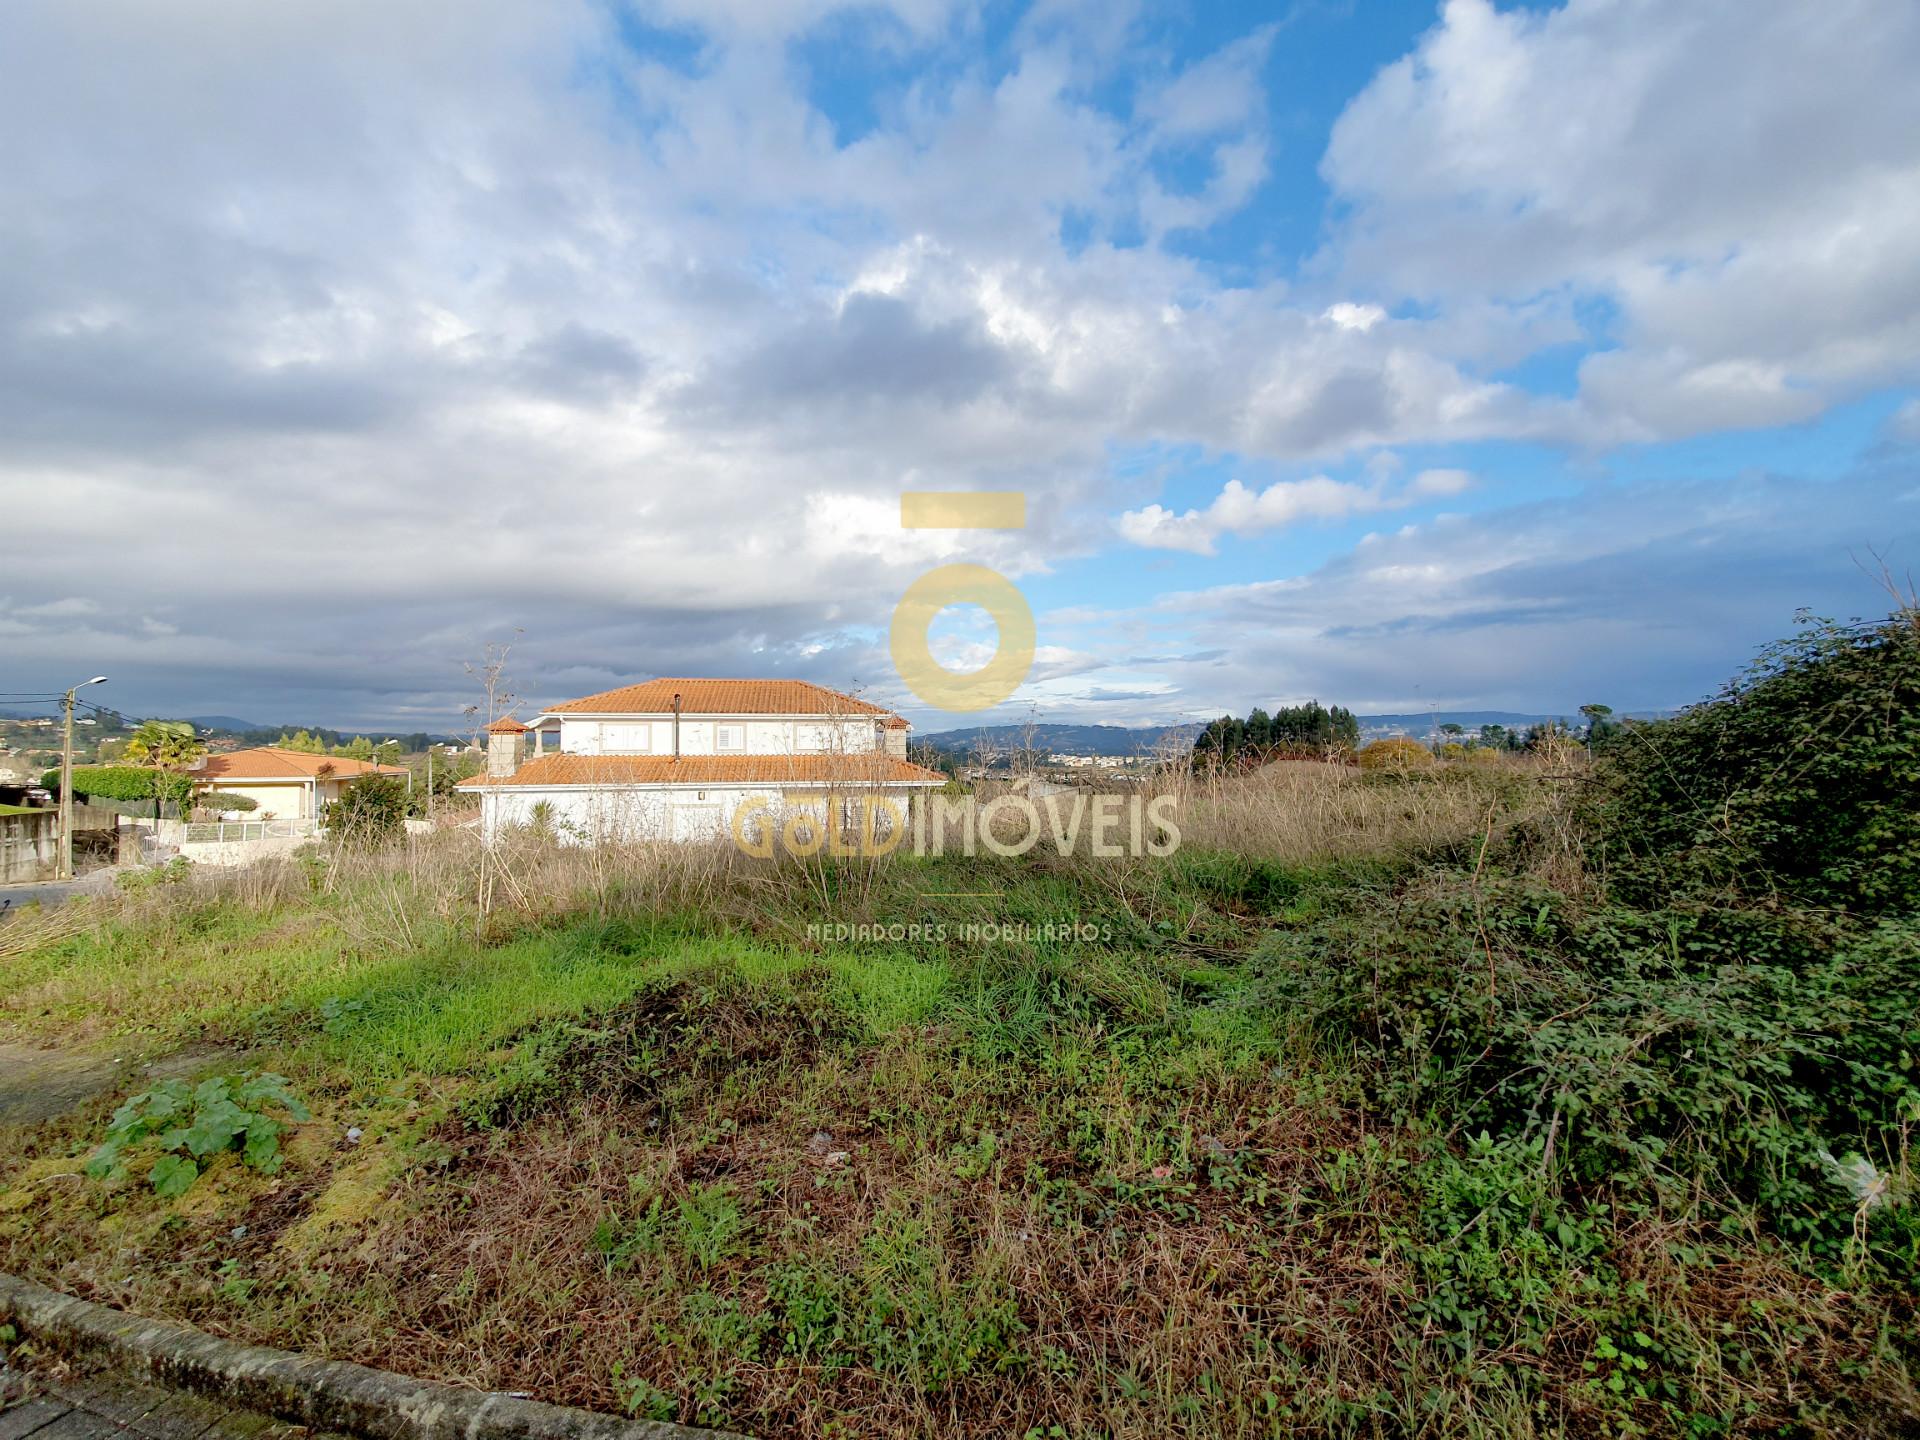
[(633, 1141)]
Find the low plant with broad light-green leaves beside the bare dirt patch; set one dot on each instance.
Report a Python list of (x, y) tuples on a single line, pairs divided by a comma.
[(189, 1126)]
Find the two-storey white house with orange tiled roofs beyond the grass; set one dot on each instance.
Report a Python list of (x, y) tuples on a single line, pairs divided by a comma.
[(677, 759)]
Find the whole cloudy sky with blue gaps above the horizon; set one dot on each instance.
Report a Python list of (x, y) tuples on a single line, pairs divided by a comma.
[(1403, 356)]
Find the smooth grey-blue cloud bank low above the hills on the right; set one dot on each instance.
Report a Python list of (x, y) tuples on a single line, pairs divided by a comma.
[(1639, 596)]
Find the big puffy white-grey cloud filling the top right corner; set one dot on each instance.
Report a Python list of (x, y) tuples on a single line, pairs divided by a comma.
[(1740, 181)]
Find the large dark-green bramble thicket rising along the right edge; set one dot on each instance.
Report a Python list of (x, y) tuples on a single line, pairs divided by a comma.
[(1723, 1022)]
